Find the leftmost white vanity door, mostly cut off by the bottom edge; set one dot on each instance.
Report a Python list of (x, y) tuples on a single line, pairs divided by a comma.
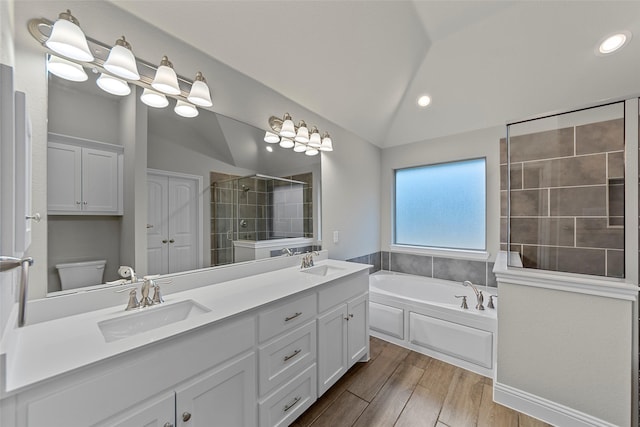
[(160, 412)]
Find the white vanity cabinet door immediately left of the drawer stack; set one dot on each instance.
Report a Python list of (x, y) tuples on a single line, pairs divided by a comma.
[(225, 397)]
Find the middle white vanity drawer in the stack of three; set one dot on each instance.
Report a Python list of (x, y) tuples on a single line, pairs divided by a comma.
[(286, 357)]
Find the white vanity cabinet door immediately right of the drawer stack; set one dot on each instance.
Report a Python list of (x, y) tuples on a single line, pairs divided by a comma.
[(332, 347)]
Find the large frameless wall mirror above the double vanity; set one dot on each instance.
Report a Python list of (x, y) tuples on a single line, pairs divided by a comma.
[(213, 193)]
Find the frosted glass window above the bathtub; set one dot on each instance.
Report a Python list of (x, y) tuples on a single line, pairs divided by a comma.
[(442, 205)]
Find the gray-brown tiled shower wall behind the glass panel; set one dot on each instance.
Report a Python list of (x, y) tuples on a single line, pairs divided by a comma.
[(567, 198)]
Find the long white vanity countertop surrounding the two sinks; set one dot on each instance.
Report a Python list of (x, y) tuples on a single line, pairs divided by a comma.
[(44, 350)]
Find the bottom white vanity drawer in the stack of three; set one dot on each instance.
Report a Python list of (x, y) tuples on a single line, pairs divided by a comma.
[(291, 400)]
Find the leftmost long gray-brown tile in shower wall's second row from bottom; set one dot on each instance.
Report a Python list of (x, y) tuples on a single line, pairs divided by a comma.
[(543, 231)]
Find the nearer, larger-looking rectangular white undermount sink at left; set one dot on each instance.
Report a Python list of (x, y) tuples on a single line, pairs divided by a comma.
[(148, 319)]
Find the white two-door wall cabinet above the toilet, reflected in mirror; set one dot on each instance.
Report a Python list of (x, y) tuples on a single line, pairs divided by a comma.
[(83, 178)]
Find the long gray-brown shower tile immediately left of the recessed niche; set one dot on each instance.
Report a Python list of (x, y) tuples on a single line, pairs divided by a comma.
[(578, 201)]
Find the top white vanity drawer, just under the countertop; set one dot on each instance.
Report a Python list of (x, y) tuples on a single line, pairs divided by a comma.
[(285, 316)]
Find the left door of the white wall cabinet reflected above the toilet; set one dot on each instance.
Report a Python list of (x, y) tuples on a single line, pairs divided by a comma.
[(64, 177)]
